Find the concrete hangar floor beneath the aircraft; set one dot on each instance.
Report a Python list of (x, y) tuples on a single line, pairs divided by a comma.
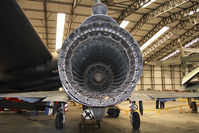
[(177, 119)]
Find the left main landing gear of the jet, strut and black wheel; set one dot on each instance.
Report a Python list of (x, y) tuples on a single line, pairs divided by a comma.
[(60, 117)]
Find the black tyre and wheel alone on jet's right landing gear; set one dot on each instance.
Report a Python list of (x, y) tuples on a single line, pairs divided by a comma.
[(135, 120)]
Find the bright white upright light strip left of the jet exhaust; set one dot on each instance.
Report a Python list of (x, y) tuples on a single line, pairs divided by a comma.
[(60, 29)]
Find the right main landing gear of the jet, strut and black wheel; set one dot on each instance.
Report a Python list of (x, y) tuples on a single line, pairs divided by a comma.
[(135, 117)]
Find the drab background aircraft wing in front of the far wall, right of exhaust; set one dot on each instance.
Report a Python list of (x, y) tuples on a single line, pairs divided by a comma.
[(172, 61)]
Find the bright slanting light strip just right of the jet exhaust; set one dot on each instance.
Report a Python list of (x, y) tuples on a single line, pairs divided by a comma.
[(158, 34)]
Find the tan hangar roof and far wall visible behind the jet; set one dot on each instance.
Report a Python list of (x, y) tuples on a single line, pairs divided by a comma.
[(144, 19)]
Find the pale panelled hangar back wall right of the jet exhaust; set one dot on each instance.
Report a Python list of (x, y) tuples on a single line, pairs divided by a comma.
[(160, 78)]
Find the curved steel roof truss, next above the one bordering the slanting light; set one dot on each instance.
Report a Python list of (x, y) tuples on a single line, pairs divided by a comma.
[(157, 12)]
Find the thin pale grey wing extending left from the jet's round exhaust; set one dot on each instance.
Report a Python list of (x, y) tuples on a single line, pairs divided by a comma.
[(47, 96)]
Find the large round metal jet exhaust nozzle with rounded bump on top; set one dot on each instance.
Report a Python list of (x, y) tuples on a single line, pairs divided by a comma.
[(99, 63)]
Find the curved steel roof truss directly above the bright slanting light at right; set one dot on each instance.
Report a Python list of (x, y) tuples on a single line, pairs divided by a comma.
[(172, 18)]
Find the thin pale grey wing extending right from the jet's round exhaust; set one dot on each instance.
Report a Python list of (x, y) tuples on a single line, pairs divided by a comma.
[(152, 95)]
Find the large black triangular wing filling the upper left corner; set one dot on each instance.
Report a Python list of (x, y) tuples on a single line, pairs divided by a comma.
[(20, 45)]
